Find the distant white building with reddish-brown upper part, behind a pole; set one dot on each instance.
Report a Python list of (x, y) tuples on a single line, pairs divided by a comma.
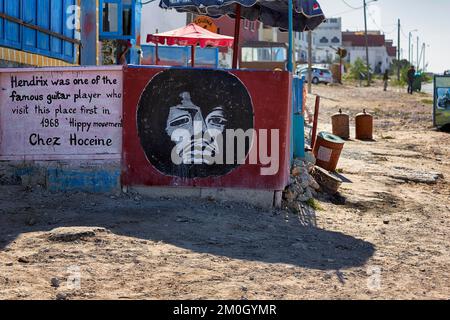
[(381, 51)]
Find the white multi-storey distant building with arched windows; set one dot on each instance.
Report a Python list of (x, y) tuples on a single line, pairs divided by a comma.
[(326, 37)]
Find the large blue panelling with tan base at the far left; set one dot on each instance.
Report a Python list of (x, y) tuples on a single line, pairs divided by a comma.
[(38, 33)]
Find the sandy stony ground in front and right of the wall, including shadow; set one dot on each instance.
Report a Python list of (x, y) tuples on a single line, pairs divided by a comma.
[(386, 236)]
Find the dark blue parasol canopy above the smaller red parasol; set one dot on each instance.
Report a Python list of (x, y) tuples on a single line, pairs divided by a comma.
[(307, 13)]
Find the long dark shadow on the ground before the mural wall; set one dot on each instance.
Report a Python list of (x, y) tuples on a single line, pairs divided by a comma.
[(224, 229)]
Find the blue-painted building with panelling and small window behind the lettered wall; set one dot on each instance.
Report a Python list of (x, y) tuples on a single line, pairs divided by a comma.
[(66, 32)]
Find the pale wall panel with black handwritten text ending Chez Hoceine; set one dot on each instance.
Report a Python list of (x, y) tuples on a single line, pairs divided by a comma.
[(48, 114)]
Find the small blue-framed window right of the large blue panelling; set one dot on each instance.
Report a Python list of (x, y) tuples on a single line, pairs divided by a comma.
[(117, 19)]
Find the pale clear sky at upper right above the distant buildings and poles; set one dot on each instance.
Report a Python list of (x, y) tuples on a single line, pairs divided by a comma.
[(430, 17)]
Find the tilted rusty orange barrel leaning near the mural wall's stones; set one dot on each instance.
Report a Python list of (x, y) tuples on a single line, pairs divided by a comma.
[(327, 150)]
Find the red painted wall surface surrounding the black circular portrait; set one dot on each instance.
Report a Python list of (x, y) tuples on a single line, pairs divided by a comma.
[(270, 94)]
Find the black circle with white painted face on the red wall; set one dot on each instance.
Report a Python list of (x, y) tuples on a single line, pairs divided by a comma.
[(184, 117)]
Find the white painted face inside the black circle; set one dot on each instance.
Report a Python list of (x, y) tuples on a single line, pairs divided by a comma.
[(199, 140)]
